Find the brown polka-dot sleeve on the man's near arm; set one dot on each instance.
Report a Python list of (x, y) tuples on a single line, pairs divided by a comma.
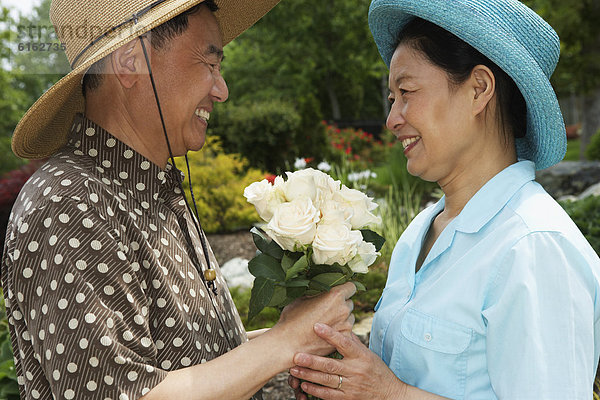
[(79, 303)]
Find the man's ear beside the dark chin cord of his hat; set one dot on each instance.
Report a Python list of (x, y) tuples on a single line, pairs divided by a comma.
[(129, 64)]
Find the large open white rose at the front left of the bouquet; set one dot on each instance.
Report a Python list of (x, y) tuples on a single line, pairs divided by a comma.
[(294, 224)]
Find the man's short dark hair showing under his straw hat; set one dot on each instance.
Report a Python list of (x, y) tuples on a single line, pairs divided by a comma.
[(161, 36)]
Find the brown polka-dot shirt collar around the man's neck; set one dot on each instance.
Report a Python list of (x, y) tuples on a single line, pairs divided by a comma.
[(121, 164)]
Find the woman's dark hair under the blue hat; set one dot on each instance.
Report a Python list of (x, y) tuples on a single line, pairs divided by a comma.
[(457, 58)]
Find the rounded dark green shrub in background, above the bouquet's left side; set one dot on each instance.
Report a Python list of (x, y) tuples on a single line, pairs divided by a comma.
[(267, 134)]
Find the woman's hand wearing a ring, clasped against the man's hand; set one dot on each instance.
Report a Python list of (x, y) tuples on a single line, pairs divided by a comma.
[(360, 375)]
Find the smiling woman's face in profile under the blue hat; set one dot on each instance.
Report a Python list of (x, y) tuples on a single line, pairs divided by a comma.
[(433, 120)]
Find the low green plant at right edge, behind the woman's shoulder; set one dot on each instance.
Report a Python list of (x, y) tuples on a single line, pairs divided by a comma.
[(586, 215)]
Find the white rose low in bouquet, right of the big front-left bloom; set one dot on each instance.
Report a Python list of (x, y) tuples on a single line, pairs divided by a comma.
[(335, 243)]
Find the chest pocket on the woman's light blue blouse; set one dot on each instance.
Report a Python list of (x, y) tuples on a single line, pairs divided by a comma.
[(432, 353)]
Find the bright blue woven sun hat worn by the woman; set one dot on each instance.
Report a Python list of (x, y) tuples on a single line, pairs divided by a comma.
[(512, 36)]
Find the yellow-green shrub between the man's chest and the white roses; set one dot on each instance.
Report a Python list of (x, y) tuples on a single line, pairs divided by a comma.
[(218, 181)]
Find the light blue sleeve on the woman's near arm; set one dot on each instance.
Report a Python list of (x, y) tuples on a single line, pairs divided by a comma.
[(540, 321)]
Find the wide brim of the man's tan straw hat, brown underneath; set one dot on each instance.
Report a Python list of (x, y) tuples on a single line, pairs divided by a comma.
[(44, 128)]
